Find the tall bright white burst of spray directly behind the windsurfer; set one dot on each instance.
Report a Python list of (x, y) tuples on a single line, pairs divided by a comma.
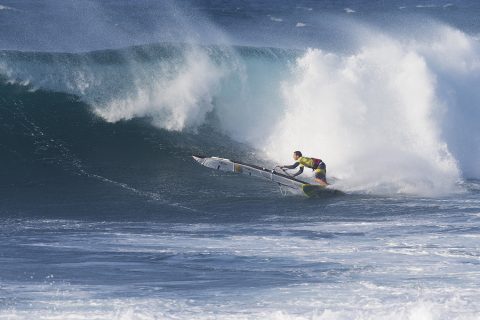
[(370, 117)]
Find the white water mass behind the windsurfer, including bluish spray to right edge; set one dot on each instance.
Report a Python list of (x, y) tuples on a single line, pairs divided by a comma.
[(380, 118)]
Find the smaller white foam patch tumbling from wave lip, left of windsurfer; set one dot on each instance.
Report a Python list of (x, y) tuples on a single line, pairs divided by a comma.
[(179, 97)]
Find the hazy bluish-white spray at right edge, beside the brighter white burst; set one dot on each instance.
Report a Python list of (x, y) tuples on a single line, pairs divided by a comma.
[(454, 58)]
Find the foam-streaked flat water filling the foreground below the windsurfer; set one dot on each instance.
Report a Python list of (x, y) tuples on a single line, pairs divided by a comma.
[(358, 276)]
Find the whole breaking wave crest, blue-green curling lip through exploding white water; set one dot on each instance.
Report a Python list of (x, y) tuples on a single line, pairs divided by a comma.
[(393, 115)]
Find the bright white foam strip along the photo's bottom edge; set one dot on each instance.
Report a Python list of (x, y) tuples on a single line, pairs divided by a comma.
[(334, 301)]
